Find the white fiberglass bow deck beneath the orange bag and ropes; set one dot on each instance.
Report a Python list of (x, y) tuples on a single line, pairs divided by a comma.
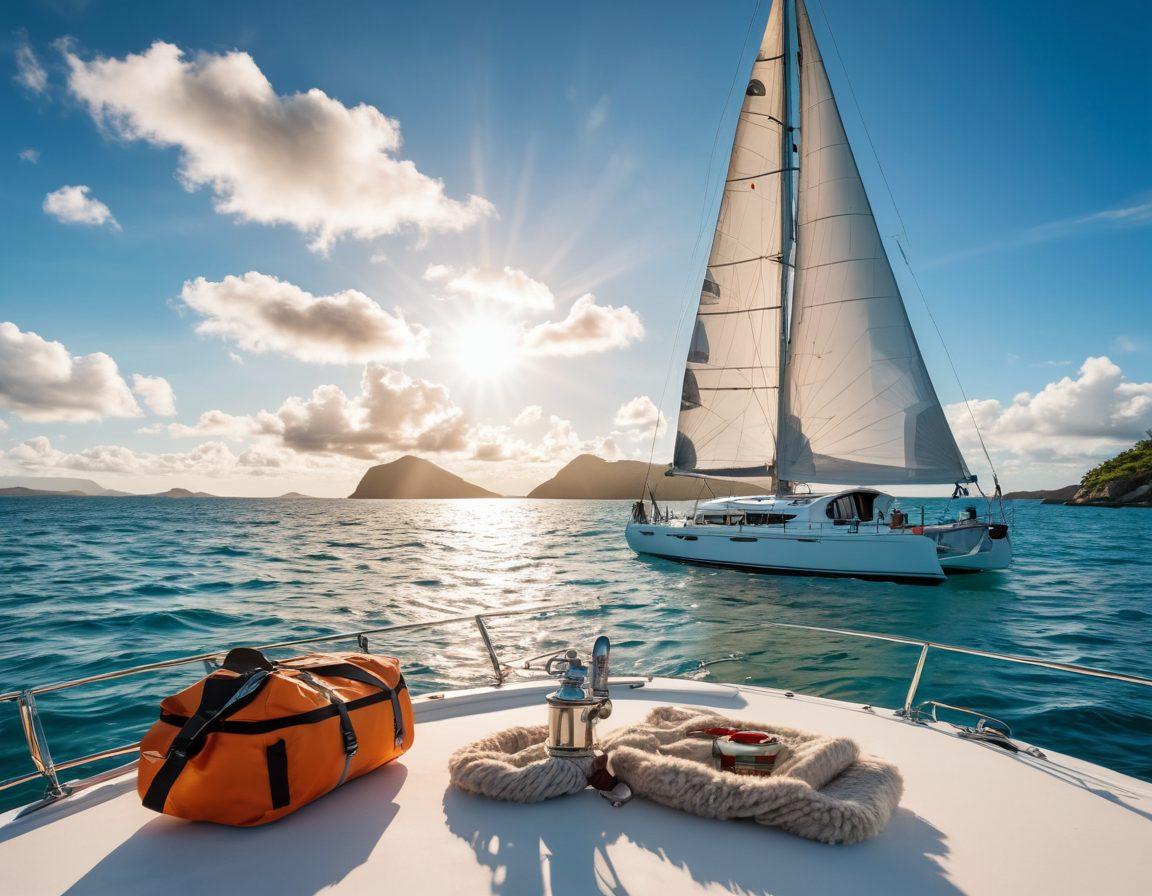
[(974, 819)]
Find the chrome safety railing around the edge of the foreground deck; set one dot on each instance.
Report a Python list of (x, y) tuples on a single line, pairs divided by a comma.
[(48, 770)]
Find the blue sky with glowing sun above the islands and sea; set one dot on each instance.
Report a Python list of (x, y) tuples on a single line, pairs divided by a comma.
[(1018, 145)]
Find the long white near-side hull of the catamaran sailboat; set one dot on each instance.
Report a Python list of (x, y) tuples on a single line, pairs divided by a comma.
[(839, 551)]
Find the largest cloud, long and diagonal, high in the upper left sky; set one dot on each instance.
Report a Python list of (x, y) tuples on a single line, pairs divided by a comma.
[(304, 160)]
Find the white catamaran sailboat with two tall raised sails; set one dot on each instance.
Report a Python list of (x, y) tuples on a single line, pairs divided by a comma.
[(804, 366)]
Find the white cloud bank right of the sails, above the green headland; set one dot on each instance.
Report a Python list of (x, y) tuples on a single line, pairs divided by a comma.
[(1067, 427)]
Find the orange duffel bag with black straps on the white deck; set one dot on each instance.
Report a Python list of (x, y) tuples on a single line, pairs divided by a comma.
[(259, 740)]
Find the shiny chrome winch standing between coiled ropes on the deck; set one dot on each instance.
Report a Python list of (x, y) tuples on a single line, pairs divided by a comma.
[(577, 707)]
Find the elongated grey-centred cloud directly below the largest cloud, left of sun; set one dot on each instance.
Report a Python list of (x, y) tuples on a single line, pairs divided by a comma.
[(262, 314)]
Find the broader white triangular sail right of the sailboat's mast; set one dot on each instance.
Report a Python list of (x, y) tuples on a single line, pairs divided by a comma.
[(859, 404)]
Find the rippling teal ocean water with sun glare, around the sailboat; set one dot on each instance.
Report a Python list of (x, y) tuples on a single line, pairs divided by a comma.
[(92, 586)]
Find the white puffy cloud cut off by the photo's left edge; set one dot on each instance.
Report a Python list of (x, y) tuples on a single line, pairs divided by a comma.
[(41, 381)]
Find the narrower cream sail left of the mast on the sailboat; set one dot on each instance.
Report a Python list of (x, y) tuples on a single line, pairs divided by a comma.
[(731, 394)]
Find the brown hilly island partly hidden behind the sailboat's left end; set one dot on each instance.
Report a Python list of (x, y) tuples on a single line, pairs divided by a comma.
[(593, 479)]
